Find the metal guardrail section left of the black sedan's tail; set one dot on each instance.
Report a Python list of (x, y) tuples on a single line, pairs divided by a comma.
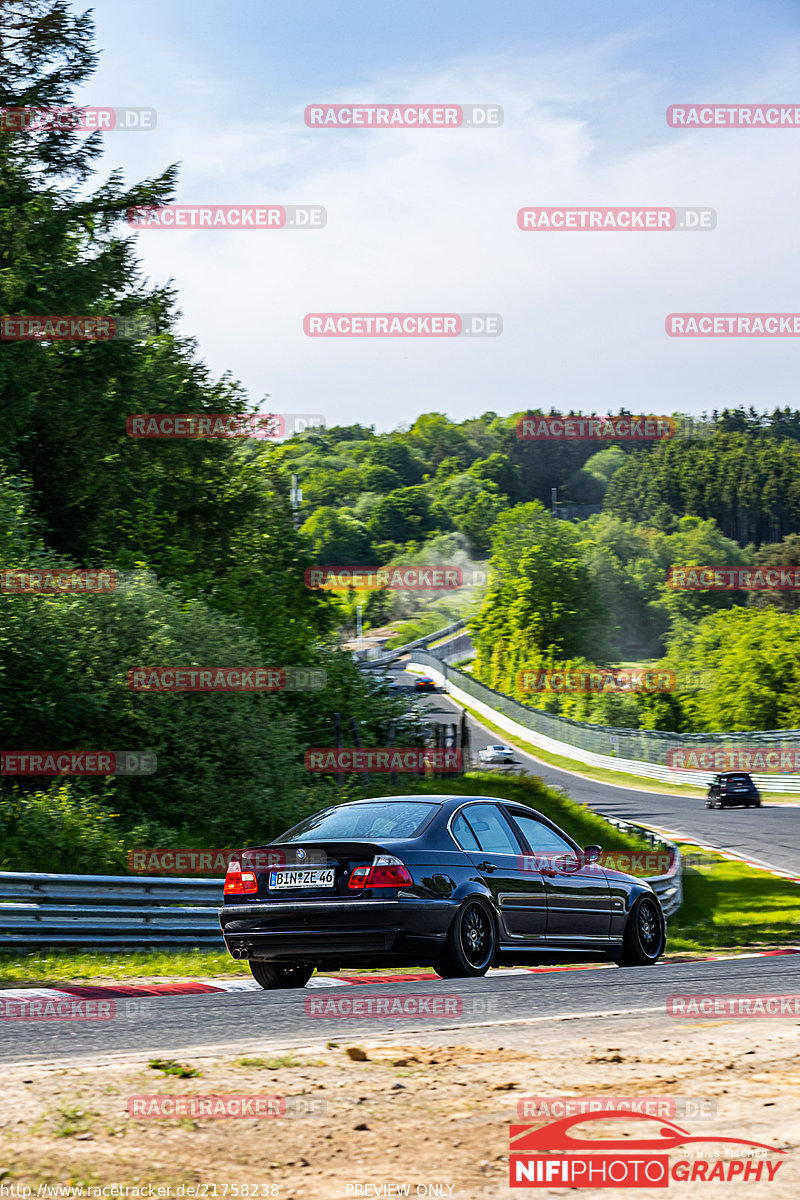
[(107, 911)]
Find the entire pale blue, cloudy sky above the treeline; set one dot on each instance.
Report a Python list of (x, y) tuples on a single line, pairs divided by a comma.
[(426, 220)]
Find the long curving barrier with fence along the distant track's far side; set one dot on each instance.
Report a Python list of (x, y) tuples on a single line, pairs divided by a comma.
[(641, 753)]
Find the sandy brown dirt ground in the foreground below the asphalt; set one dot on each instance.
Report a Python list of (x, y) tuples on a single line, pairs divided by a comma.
[(435, 1118)]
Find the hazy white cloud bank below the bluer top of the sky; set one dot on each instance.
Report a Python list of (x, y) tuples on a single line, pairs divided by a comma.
[(426, 221)]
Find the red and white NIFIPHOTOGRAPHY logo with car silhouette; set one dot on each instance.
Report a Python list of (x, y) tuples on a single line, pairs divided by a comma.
[(551, 1156)]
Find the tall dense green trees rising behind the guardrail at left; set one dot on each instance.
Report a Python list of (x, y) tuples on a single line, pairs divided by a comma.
[(206, 527)]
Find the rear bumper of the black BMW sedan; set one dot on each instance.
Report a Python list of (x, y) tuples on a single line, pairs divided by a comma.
[(332, 931)]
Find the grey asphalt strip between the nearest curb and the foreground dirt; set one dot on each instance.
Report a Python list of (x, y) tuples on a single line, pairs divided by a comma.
[(248, 1022)]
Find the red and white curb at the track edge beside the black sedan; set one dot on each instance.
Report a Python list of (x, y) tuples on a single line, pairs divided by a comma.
[(202, 987)]
